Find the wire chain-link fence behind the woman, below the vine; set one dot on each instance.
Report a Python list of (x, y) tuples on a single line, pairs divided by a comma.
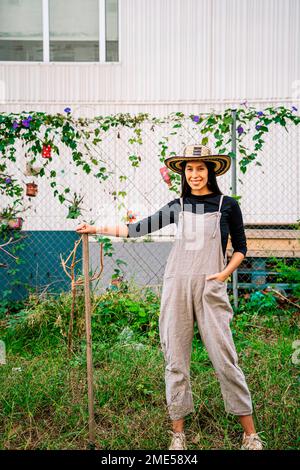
[(130, 162)]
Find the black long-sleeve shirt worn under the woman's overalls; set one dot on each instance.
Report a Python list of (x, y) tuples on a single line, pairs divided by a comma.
[(231, 219)]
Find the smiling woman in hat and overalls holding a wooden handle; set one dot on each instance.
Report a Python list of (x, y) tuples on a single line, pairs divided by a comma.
[(195, 289)]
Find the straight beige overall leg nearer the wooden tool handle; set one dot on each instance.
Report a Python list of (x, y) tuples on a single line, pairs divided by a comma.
[(176, 328)]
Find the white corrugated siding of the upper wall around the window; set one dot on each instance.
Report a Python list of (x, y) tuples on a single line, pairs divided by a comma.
[(174, 51)]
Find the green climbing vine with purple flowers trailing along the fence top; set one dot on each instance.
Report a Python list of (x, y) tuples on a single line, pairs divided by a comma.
[(40, 133)]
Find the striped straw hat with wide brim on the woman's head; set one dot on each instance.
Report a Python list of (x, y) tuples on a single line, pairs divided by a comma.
[(199, 152)]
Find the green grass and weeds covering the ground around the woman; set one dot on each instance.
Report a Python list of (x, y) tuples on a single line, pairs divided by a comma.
[(44, 401)]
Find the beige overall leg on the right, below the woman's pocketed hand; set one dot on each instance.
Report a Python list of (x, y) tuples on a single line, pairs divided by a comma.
[(215, 314)]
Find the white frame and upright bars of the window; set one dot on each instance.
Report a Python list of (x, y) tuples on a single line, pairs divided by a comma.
[(102, 40)]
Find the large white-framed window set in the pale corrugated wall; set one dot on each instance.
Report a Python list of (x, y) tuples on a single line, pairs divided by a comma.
[(59, 30)]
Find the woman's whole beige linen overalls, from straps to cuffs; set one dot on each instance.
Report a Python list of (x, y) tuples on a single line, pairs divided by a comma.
[(187, 296)]
